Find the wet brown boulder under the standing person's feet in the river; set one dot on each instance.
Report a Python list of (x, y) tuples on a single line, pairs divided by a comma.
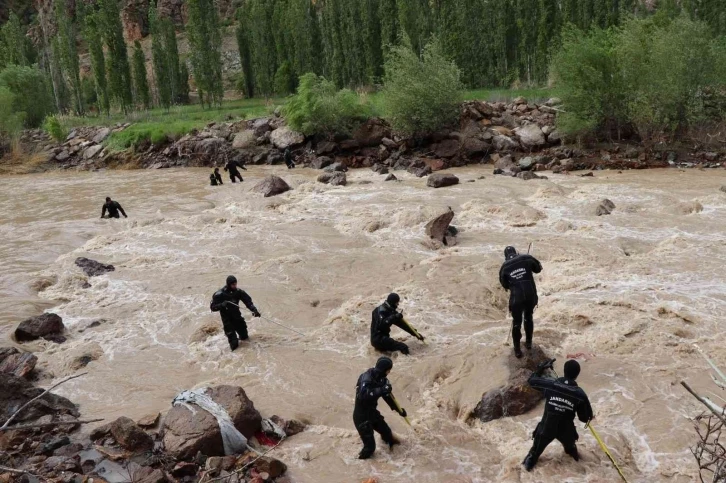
[(517, 396)]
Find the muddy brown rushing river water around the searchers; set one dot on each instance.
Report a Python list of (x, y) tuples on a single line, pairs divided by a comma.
[(634, 290)]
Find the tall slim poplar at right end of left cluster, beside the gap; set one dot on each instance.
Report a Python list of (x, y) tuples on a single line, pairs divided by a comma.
[(205, 42)]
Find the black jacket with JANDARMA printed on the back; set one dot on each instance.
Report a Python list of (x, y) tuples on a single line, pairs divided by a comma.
[(563, 400)]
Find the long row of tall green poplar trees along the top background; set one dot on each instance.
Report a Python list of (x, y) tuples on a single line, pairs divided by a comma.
[(494, 43)]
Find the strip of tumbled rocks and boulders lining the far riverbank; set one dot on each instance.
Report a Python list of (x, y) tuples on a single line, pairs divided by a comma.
[(519, 136)]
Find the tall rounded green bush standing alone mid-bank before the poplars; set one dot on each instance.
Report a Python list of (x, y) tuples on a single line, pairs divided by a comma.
[(420, 95)]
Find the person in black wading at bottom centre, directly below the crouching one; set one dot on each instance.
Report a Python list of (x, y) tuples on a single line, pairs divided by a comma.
[(372, 385)]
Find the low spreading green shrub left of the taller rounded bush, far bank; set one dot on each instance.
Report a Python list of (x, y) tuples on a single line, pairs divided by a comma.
[(319, 108)]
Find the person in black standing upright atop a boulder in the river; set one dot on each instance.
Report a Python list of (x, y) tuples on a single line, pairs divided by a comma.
[(516, 275)]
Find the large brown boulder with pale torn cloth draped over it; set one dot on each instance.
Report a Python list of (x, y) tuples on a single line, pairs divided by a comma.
[(186, 433)]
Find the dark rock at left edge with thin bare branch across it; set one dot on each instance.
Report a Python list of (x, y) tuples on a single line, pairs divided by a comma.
[(16, 391)]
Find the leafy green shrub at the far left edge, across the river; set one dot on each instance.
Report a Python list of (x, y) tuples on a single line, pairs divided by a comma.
[(31, 94)]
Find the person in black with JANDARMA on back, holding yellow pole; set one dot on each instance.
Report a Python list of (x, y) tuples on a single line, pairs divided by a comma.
[(563, 400)]
